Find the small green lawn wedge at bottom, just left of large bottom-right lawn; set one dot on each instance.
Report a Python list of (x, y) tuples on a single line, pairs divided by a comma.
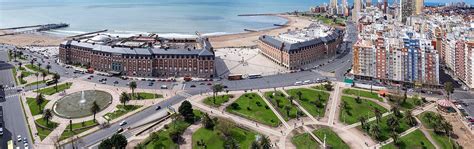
[(332, 139)]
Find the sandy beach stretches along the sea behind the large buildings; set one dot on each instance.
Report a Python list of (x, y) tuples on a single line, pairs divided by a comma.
[(242, 39)]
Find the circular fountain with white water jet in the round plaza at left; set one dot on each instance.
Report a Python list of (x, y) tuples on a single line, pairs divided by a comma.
[(78, 104)]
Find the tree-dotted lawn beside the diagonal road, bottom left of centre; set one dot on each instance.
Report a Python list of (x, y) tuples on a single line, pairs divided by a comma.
[(161, 139)]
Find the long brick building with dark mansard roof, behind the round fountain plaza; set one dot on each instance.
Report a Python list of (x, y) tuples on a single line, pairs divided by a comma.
[(142, 56)]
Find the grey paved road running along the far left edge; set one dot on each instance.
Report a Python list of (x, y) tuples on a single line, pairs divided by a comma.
[(13, 115)]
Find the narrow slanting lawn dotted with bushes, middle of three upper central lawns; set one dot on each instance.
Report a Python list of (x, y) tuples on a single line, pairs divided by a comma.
[(281, 107)]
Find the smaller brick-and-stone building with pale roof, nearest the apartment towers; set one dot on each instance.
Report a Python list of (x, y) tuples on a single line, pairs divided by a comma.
[(297, 48)]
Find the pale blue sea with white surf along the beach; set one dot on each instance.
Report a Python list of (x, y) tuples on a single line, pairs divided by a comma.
[(149, 16)]
